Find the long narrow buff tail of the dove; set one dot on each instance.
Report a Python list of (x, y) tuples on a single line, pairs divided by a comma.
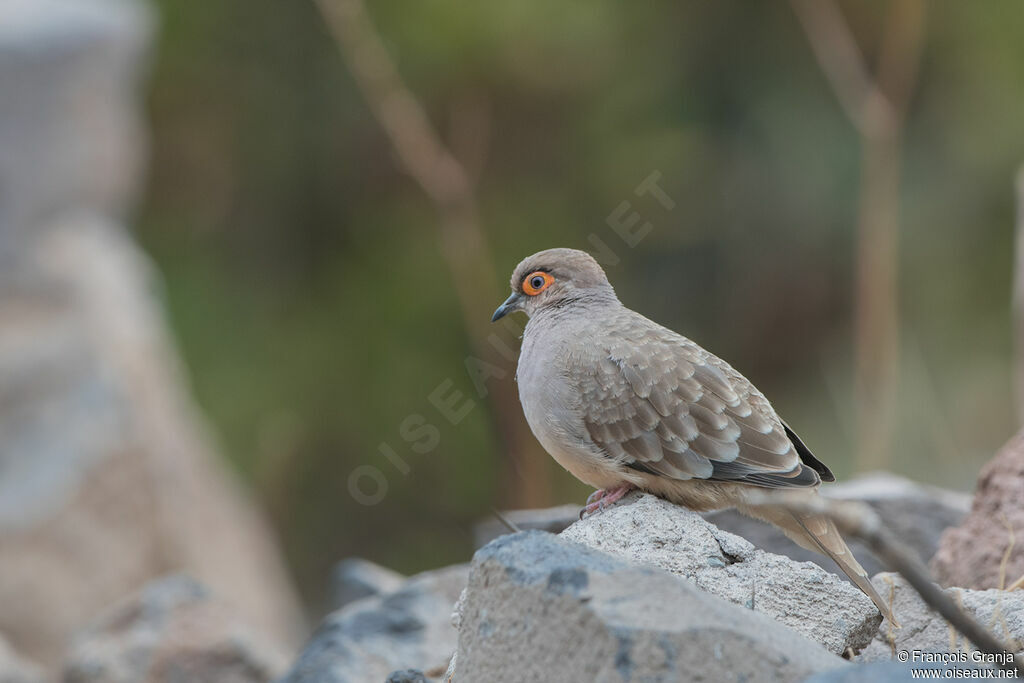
[(820, 535)]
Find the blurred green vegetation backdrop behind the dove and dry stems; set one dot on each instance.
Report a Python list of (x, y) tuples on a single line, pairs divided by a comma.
[(307, 287)]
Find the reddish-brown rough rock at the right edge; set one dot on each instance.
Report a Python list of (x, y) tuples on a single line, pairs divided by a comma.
[(971, 556)]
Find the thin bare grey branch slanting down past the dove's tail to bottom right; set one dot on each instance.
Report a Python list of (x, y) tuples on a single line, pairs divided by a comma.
[(861, 522)]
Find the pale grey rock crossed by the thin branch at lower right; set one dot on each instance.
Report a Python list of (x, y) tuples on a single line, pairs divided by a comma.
[(1001, 612)]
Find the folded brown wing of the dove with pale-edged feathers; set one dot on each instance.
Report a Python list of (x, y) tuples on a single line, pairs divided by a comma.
[(658, 403)]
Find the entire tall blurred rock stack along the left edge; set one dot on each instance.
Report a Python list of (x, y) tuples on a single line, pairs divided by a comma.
[(107, 477)]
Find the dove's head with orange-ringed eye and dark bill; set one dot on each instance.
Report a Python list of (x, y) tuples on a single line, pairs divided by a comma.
[(556, 278)]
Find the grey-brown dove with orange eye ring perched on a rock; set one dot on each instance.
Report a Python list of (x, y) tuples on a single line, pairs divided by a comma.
[(625, 404)]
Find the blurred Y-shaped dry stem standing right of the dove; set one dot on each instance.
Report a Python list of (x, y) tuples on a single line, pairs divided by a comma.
[(876, 107)]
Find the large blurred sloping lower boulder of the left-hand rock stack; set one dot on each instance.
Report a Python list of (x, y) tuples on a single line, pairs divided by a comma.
[(107, 475)]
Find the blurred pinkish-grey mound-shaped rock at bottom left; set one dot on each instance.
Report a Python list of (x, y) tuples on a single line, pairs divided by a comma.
[(173, 631)]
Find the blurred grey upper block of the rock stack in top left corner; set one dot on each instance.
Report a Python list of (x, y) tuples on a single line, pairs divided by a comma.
[(70, 124)]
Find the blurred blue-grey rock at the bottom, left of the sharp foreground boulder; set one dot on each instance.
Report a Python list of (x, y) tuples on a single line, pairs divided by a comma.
[(371, 638)]
